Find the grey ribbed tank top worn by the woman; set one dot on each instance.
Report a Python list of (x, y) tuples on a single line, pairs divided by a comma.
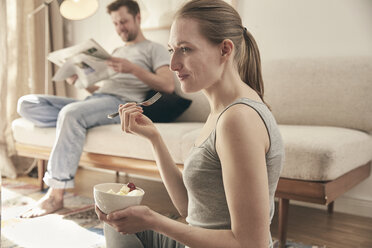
[(202, 175)]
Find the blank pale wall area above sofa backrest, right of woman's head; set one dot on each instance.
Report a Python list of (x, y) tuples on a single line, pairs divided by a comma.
[(303, 28)]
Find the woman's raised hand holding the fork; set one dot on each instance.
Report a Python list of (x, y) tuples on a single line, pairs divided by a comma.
[(133, 121)]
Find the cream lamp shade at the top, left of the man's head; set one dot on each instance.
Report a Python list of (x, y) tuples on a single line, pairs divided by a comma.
[(78, 9)]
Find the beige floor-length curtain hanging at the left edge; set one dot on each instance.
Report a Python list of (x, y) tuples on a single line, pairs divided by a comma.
[(17, 78)]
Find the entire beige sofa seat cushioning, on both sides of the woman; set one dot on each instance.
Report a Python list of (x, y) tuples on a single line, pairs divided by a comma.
[(312, 152)]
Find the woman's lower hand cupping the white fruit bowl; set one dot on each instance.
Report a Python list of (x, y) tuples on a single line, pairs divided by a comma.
[(130, 220)]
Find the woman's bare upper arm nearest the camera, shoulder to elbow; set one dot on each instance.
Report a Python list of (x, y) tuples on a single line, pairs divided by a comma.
[(242, 142)]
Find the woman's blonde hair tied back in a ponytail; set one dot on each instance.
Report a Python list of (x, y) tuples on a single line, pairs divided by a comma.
[(219, 21)]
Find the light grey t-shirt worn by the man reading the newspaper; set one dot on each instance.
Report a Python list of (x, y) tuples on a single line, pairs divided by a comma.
[(147, 54)]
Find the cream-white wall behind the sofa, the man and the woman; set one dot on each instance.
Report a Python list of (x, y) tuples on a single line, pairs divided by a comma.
[(283, 29)]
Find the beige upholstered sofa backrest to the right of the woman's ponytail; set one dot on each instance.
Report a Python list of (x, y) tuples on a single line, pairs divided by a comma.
[(321, 91)]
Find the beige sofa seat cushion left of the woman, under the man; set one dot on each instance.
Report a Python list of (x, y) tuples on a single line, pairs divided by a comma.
[(110, 140)]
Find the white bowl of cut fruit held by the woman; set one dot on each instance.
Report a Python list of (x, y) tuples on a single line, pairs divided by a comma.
[(110, 197)]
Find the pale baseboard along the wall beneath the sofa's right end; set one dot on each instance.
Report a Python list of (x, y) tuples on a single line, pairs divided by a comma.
[(345, 205)]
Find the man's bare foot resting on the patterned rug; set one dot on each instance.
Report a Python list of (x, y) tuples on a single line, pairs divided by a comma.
[(48, 204)]
